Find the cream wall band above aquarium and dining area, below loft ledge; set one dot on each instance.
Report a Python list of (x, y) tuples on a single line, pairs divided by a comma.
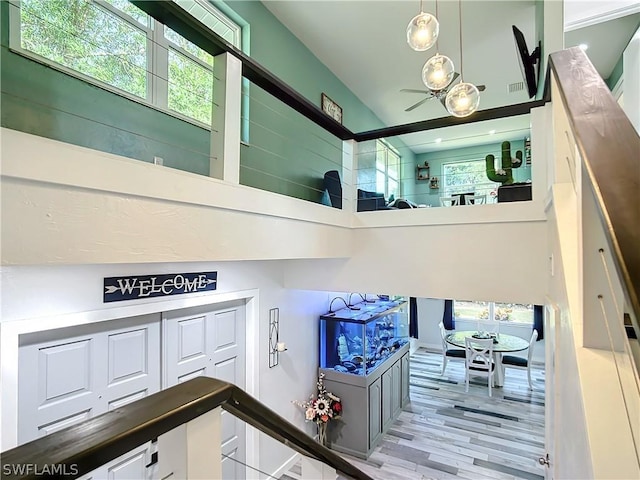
[(504, 262)]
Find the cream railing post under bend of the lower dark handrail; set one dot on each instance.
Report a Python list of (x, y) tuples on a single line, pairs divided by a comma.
[(192, 450)]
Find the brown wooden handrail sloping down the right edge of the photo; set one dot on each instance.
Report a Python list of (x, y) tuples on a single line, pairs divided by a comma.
[(610, 150)]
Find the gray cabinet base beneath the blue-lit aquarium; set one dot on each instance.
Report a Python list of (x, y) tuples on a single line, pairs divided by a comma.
[(370, 403)]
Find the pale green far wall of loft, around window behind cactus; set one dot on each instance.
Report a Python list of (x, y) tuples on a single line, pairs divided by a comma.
[(423, 194)]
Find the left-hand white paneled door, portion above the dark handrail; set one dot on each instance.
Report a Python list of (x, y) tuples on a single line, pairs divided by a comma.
[(71, 374)]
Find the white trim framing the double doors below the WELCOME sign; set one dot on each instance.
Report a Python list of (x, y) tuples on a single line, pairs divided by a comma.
[(10, 332)]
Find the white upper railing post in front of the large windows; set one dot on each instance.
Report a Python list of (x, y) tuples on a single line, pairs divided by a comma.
[(225, 118)]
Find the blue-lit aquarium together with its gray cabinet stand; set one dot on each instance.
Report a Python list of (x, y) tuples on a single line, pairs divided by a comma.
[(364, 356)]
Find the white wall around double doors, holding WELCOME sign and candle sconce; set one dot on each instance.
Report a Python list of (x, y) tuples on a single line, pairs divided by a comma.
[(39, 297)]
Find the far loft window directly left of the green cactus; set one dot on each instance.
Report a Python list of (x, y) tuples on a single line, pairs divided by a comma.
[(466, 177)]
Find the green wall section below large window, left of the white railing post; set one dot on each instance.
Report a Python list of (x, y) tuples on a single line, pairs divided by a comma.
[(43, 101)]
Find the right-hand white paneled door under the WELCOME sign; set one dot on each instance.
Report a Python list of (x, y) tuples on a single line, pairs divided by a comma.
[(210, 341)]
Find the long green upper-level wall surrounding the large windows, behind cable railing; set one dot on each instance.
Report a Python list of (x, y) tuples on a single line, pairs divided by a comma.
[(286, 152)]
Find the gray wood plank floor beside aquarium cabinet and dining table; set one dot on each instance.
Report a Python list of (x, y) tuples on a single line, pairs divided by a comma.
[(446, 433)]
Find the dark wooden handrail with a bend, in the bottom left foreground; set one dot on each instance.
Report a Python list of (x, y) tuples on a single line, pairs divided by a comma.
[(95, 442)]
